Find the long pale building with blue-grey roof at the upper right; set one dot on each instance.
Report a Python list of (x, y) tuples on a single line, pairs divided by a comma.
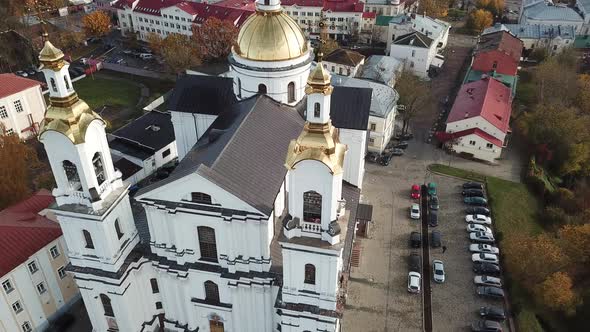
[(554, 39)]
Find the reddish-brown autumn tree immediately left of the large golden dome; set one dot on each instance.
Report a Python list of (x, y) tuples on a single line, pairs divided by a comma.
[(215, 38)]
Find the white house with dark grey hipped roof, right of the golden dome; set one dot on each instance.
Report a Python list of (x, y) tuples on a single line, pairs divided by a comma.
[(418, 53)]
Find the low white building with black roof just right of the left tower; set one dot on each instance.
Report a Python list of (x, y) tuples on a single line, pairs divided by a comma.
[(148, 142)]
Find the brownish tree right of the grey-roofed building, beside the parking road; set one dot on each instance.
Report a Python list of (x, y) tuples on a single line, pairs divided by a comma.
[(414, 95)]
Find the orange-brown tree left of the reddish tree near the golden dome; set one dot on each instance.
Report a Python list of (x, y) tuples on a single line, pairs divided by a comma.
[(179, 52)]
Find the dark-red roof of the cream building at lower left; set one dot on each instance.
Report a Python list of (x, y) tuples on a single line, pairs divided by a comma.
[(23, 231)]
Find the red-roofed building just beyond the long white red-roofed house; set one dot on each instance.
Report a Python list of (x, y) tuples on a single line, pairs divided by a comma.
[(499, 51)]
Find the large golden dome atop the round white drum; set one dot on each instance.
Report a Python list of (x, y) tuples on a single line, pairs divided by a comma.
[(271, 36)]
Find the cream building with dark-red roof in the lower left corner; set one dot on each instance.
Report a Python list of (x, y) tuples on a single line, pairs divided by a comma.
[(36, 288)]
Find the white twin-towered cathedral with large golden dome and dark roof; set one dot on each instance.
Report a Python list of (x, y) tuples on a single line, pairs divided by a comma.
[(253, 230)]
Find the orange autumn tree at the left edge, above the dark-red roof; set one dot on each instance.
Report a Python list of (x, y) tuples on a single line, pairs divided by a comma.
[(15, 175)]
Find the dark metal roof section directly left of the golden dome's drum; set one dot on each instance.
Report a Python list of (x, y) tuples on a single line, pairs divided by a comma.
[(202, 94)]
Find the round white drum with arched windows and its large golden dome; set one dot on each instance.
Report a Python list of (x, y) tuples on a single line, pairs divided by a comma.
[(272, 56)]
